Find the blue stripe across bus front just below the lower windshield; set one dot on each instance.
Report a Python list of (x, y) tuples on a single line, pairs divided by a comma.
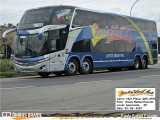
[(27, 60)]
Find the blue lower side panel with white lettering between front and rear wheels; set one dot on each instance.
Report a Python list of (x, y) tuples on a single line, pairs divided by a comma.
[(108, 59)]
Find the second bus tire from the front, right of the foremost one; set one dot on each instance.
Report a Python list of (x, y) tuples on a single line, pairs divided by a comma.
[(86, 67)]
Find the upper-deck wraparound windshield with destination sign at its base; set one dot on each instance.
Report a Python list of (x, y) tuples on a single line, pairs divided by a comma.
[(38, 18)]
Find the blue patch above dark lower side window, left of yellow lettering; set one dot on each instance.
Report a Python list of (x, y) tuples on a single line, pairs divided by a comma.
[(85, 33)]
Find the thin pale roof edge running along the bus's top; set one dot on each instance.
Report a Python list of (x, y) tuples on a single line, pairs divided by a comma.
[(56, 6)]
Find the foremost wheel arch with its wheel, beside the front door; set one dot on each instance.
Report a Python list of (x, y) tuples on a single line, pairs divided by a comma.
[(72, 66)]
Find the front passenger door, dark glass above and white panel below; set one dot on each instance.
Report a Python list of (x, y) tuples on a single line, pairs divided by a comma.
[(57, 42)]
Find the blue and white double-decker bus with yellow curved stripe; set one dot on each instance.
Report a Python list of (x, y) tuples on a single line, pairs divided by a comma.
[(70, 40)]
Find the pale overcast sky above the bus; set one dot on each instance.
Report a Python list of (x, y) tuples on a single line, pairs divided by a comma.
[(12, 10)]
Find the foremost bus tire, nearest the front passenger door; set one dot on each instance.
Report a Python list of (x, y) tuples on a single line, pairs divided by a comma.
[(72, 67)]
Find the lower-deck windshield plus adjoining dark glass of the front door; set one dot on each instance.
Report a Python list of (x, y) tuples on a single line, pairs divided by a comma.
[(31, 46)]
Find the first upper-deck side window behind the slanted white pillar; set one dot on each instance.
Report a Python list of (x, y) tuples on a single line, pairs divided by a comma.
[(82, 18)]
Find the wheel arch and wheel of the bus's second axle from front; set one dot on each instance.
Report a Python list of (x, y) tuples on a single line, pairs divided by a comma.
[(87, 66)]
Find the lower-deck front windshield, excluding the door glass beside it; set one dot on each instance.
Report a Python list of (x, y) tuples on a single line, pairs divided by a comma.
[(30, 46)]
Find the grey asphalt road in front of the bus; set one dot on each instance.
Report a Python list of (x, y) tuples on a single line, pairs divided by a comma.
[(94, 92)]
